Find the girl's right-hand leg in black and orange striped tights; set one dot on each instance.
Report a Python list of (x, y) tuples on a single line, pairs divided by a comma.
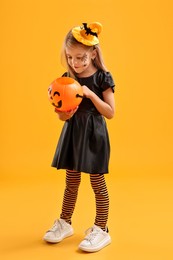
[(102, 199)]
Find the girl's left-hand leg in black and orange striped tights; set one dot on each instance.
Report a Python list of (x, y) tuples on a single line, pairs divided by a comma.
[(70, 195)]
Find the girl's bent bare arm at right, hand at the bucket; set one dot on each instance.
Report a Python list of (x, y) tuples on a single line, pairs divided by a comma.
[(106, 107)]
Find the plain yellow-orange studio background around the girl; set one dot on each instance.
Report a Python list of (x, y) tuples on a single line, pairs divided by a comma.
[(137, 47)]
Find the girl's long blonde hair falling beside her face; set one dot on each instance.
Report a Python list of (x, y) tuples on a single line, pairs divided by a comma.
[(71, 41)]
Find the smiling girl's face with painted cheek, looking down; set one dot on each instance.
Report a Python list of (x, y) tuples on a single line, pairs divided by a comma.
[(80, 58)]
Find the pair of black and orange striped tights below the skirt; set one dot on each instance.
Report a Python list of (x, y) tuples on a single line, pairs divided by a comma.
[(101, 196)]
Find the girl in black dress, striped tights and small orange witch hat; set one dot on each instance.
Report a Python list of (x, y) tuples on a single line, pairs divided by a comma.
[(84, 143)]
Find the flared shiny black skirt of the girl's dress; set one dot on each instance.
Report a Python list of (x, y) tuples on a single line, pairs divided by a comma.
[(83, 144)]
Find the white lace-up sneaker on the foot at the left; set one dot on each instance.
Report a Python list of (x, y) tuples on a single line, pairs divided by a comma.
[(60, 230)]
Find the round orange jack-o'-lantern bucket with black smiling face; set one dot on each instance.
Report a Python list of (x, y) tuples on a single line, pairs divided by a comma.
[(65, 93)]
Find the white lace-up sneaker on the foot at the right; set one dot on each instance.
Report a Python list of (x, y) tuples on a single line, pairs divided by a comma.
[(95, 240)]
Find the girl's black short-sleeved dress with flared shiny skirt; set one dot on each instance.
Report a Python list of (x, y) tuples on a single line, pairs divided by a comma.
[(84, 142)]
